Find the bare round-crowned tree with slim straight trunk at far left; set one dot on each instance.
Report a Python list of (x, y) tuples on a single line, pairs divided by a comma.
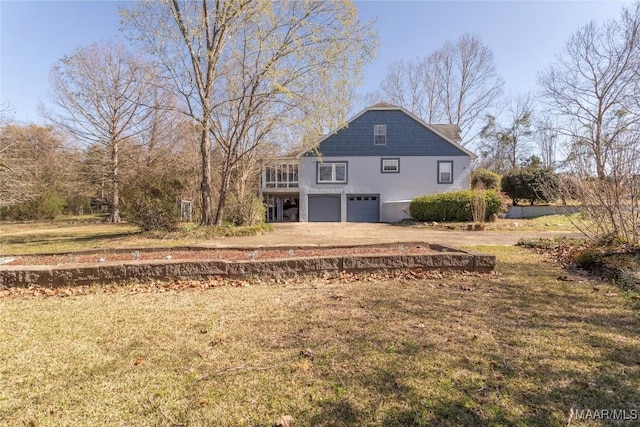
[(101, 96)]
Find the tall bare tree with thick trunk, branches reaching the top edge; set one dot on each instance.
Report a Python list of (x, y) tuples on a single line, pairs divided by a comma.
[(188, 38)]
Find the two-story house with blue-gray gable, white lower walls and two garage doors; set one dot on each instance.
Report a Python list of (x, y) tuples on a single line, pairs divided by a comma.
[(367, 171)]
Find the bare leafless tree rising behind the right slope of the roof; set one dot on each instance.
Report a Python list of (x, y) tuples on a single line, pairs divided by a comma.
[(456, 84)]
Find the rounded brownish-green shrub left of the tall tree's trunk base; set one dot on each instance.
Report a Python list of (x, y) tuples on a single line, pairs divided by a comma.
[(152, 203)]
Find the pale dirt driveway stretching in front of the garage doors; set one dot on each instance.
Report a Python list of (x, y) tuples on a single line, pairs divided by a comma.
[(331, 234)]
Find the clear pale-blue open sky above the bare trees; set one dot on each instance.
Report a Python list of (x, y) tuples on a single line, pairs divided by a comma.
[(524, 37)]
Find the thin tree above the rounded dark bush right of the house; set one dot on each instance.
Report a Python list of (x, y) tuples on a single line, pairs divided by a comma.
[(505, 145)]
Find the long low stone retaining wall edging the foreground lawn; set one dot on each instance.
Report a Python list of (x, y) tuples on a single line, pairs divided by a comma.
[(107, 272)]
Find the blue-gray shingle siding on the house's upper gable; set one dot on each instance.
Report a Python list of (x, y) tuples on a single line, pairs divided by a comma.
[(405, 137)]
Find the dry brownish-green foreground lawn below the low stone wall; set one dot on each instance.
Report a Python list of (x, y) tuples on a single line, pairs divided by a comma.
[(522, 347)]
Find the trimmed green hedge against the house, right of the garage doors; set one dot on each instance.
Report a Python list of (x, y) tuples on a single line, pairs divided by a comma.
[(454, 206)]
